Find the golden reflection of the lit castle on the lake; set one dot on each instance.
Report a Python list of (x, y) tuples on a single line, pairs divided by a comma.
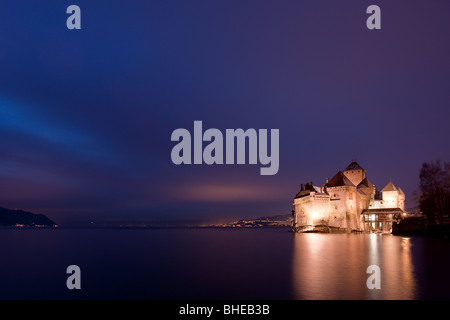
[(333, 266)]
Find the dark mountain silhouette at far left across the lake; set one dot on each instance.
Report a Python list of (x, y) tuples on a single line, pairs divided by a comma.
[(9, 217)]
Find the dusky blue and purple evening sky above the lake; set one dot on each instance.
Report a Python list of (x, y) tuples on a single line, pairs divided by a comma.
[(86, 116)]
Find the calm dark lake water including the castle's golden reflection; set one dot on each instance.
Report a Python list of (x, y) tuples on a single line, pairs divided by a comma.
[(219, 264)]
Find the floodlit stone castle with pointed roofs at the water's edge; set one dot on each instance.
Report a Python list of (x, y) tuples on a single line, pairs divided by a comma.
[(348, 201)]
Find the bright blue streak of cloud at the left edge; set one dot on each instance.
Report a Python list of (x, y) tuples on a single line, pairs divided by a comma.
[(31, 127)]
